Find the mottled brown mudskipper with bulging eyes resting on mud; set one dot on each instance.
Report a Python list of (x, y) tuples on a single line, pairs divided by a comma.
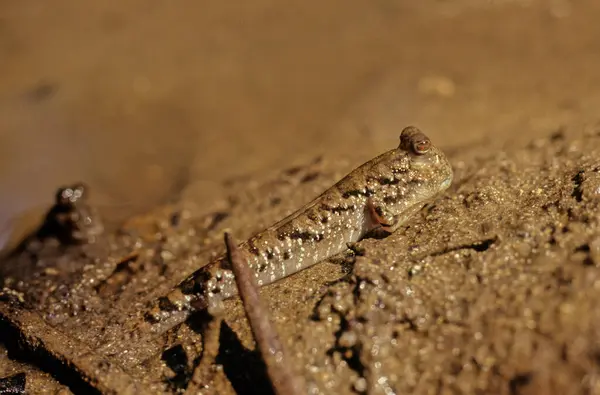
[(381, 194)]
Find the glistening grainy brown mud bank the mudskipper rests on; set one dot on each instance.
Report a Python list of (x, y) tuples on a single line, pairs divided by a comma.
[(491, 289)]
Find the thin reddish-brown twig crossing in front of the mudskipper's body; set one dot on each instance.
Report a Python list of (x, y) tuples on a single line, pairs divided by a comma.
[(279, 370)]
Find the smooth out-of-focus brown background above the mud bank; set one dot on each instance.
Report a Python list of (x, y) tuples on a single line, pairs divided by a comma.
[(149, 100)]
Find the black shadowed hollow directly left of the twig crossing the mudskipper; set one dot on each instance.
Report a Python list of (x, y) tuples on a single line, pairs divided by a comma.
[(244, 369)]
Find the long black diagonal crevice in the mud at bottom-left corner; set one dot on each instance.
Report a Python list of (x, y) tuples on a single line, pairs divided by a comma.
[(42, 358)]
